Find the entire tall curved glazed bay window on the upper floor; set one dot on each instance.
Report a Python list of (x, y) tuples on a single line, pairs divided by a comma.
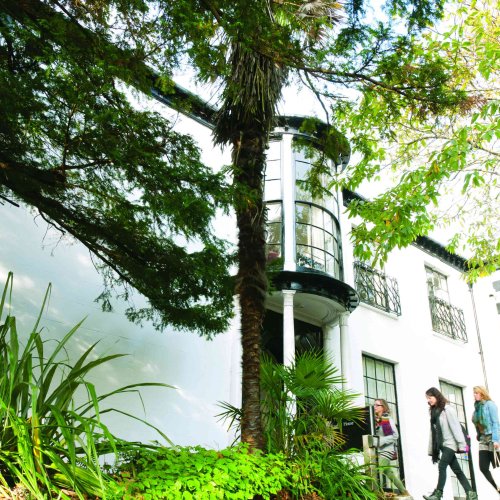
[(300, 228)]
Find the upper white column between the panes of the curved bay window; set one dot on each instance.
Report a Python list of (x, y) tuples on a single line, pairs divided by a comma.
[(288, 196)]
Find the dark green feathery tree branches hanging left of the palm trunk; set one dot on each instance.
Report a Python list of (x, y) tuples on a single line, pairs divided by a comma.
[(113, 176)]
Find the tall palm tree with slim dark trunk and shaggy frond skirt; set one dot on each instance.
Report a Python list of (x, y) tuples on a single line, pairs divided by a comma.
[(252, 90)]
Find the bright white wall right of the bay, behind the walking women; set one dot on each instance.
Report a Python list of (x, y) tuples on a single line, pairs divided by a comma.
[(422, 357)]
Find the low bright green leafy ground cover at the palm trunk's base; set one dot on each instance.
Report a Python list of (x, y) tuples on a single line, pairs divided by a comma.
[(199, 474)]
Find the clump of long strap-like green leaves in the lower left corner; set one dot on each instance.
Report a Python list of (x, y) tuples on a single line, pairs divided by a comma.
[(51, 436)]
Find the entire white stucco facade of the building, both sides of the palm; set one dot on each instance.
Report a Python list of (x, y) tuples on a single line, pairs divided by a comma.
[(207, 372)]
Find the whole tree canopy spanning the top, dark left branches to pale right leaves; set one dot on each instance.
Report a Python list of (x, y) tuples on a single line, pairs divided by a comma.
[(131, 189)]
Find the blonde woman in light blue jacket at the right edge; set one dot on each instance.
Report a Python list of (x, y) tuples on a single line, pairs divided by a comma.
[(485, 418)]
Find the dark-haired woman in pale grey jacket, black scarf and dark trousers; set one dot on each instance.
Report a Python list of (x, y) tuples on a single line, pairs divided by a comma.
[(446, 438)]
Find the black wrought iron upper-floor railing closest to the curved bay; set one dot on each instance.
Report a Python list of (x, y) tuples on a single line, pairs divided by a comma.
[(376, 288)]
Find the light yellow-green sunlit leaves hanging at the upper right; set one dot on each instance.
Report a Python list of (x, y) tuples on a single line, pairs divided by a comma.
[(432, 168)]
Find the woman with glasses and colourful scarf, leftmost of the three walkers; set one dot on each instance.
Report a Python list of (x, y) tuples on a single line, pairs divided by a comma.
[(386, 444)]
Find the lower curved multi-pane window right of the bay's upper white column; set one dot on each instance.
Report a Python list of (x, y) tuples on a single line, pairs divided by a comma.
[(316, 239)]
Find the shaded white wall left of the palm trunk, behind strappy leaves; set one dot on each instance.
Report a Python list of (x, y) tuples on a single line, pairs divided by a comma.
[(203, 372)]
